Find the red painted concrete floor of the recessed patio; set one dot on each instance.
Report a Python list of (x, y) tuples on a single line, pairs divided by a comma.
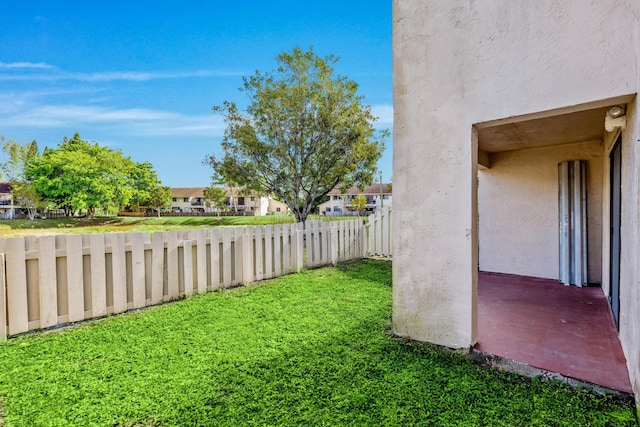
[(564, 329)]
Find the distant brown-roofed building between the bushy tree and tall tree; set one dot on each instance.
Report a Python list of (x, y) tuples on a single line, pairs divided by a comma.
[(191, 200)]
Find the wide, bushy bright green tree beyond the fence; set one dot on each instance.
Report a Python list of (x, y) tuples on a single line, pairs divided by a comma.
[(78, 175)]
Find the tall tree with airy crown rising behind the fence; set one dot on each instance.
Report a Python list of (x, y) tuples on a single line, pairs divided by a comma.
[(304, 132)]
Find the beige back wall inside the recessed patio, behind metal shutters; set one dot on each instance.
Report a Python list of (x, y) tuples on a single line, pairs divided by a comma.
[(518, 210)]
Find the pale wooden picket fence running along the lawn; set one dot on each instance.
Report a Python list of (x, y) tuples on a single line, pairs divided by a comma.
[(53, 280)]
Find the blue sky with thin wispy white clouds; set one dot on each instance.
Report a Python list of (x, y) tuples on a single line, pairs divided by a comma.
[(142, 76)]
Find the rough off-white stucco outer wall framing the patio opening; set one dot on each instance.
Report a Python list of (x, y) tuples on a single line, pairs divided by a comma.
[(461, 63)]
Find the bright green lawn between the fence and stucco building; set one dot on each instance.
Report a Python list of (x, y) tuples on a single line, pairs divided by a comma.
[(306, 349)]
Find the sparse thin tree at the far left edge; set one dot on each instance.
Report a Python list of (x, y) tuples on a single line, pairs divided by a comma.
[(19, 156)]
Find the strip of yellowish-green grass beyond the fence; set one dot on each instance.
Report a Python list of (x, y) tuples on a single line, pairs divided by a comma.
[(24, 227)]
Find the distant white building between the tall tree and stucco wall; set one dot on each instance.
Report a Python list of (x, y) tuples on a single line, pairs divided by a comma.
[(340, 204)]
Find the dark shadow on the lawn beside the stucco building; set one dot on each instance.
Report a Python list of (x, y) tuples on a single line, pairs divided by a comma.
[(356, 373)]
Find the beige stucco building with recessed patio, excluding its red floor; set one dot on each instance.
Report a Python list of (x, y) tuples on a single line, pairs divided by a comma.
[(489, 99)]
